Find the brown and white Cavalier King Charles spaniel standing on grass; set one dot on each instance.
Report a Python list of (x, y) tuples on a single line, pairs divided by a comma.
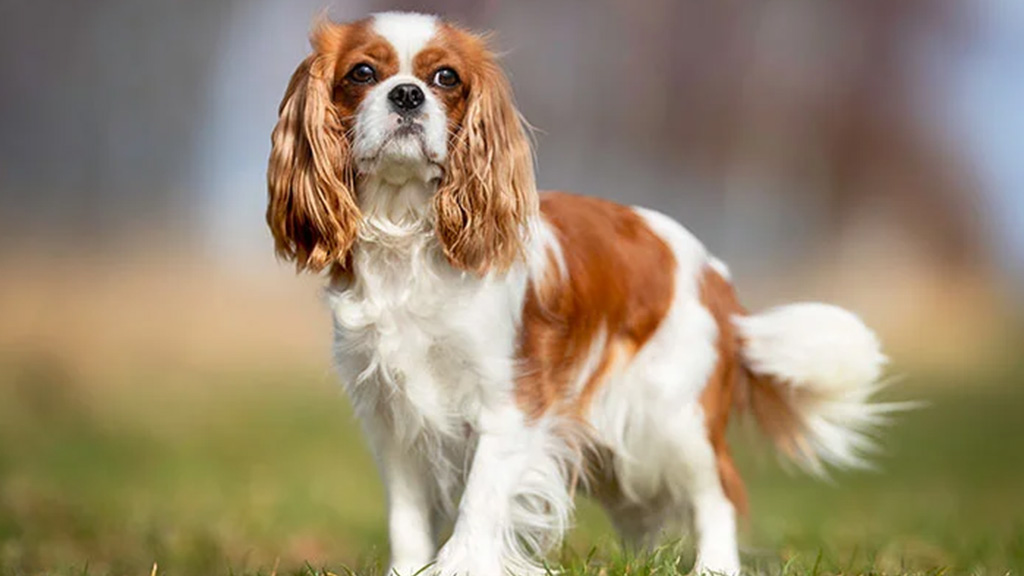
[(504, 349)]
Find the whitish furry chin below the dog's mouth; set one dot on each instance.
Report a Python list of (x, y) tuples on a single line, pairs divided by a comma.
[(402, 157)]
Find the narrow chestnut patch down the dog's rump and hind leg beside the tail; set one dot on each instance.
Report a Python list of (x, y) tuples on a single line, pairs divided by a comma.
[(718, 296)]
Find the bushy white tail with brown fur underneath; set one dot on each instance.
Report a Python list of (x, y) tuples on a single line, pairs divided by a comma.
[(813, 372)]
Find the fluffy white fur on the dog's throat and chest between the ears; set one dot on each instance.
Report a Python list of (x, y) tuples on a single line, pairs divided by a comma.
[(420, 346)]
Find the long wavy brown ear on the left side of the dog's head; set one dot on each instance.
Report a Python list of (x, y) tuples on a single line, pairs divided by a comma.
[(312, 211)]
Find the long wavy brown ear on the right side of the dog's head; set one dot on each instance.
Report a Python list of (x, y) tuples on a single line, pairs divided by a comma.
[(488, 194)]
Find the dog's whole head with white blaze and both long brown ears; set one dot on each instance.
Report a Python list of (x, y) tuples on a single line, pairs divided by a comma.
[(399, 98)]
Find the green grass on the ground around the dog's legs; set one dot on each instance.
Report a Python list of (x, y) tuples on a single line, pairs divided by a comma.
[(229, 474)]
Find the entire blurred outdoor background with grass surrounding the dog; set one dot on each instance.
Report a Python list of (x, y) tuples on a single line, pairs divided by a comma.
[(165, 387)]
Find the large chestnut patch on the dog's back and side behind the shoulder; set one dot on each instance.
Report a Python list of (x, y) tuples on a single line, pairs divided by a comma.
[(620, 280)]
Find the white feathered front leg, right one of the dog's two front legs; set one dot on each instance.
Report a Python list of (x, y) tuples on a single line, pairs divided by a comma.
[(484, 543)]
